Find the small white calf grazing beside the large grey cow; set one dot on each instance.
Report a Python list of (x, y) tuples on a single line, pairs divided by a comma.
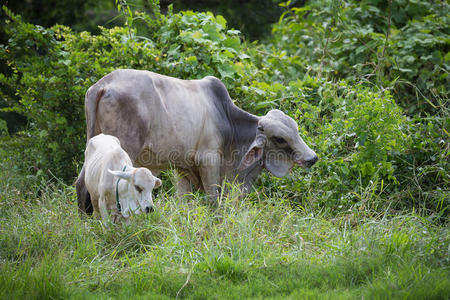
[(112, 181)]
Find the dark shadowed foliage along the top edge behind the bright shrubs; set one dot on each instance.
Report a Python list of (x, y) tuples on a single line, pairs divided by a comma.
[(252, 17)]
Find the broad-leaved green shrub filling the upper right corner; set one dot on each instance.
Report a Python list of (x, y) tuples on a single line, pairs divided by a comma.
[(402, 44)]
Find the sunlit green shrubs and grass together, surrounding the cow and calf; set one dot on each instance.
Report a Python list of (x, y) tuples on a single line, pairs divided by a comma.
[(367, 82)]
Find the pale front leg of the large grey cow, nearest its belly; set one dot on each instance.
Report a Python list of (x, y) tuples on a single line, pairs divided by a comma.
[(210, 176)]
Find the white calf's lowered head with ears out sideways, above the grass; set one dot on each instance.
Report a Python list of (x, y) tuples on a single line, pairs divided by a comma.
[(136, 195)]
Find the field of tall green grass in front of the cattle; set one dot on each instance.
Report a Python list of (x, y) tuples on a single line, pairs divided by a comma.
[(246, 248)]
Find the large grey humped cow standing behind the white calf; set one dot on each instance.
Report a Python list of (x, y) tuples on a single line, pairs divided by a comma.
[(192, 125)]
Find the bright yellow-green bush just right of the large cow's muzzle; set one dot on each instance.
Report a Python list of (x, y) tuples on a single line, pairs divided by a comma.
[(374, 123)]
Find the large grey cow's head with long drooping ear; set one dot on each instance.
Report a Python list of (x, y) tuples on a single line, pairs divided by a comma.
[(278, 145)]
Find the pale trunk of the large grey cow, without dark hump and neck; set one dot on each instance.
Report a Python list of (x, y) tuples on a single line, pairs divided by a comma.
[(158, 118)]
